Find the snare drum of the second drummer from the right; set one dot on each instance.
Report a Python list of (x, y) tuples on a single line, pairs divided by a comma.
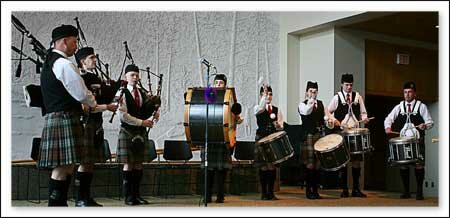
[(357, 140)]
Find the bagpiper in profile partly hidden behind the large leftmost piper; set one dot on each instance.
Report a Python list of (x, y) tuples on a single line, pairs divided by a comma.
[(93, 147)]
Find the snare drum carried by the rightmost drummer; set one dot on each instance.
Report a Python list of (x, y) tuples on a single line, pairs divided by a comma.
[(404, 150)]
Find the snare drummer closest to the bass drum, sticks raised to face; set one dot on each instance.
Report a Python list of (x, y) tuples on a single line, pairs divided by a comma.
[(269, 120)]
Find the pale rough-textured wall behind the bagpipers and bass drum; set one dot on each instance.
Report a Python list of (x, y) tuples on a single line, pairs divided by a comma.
[(242, 45)]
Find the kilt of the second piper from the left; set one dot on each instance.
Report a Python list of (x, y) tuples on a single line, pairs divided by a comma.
[(93, 150)]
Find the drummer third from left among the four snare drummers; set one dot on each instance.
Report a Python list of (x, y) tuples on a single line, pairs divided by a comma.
[(339, 107)]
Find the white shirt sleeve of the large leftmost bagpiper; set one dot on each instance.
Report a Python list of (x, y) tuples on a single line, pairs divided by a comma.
[(69, 75)]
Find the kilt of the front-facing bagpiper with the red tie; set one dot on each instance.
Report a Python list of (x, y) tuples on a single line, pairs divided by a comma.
[(126, 152)]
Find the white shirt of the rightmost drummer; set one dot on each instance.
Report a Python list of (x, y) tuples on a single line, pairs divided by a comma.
[(396, 111)]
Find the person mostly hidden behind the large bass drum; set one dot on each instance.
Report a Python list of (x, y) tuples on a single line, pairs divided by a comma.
[(219, 154)]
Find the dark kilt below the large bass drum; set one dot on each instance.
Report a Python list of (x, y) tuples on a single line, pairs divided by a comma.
[(219, 157)]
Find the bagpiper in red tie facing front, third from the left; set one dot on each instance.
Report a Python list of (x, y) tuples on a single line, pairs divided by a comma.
[(133, 145)]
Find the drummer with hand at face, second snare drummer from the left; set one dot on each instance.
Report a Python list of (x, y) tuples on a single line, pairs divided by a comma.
[(314, 118)]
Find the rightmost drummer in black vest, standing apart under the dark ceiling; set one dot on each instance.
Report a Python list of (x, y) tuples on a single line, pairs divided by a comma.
[(421, 119)]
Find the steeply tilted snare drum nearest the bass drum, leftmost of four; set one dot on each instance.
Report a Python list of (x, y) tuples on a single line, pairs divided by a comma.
[(275, 148)]
